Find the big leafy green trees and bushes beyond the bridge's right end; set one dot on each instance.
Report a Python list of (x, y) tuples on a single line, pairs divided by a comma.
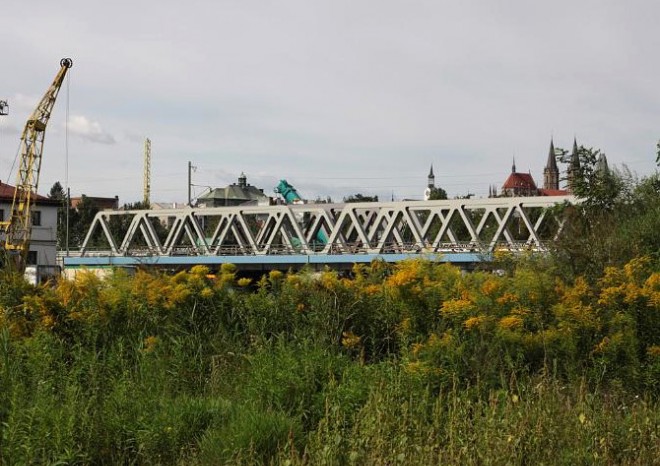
[(617, 219)]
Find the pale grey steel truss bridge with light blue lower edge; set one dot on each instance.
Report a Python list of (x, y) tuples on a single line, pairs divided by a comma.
[(463, 231)]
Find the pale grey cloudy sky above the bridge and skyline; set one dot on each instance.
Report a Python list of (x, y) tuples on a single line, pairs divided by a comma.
[(338, 97)]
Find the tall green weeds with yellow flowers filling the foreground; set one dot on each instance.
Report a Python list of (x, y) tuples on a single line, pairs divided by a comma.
[(413, 364)]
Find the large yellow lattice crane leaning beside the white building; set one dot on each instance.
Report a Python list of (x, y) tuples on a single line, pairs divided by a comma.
[(18, 227)]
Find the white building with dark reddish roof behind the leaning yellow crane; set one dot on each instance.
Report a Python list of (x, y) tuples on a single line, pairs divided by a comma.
[(43, 242)]
